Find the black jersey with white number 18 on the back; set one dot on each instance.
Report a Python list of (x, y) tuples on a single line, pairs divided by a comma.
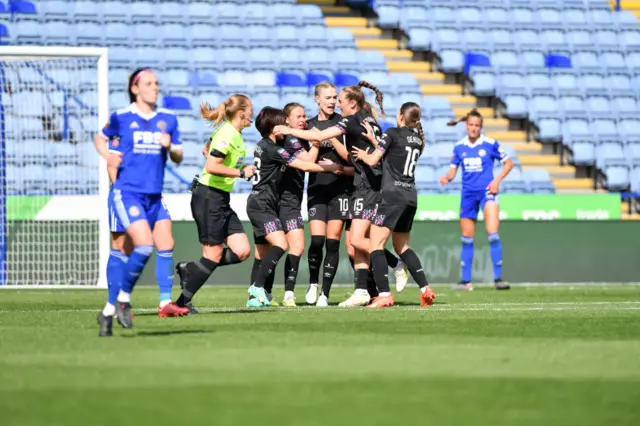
[(401, 147)]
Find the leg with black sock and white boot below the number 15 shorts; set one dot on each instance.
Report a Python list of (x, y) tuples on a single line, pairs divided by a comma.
[(359, 233)]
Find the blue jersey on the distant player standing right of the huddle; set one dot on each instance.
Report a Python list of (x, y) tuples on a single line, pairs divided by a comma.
[(477, 161)]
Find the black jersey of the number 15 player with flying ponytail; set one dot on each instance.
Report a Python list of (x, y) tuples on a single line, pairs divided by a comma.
[(352, 128)]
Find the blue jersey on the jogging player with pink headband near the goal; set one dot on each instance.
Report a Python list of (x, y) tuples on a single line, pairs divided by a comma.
[(137, 136)]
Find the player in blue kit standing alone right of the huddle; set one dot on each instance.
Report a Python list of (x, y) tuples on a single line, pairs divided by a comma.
[(476, 154)]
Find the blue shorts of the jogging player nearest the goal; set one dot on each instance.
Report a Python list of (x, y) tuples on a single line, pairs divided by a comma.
[(130, 207)]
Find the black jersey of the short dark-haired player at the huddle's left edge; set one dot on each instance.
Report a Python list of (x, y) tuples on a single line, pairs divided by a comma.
[(271, 161)]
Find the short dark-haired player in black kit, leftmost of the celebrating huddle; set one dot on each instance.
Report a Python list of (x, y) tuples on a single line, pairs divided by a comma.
[(271, 160)]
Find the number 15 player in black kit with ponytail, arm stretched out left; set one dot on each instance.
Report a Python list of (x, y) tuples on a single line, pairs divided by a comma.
[(367, 180)]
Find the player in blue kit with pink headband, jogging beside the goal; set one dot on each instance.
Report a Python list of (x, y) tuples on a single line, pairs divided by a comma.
[(143, 136)]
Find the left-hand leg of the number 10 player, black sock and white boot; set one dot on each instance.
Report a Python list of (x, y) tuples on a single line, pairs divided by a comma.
[(318, 228)]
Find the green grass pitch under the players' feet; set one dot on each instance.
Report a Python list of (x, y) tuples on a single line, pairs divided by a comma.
[(530, 356)]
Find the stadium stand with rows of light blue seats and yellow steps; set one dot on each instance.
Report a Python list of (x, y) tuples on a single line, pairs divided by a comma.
[(556, 80)]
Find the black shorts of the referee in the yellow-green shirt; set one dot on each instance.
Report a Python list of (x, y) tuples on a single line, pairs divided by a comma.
[(211, 210)]
